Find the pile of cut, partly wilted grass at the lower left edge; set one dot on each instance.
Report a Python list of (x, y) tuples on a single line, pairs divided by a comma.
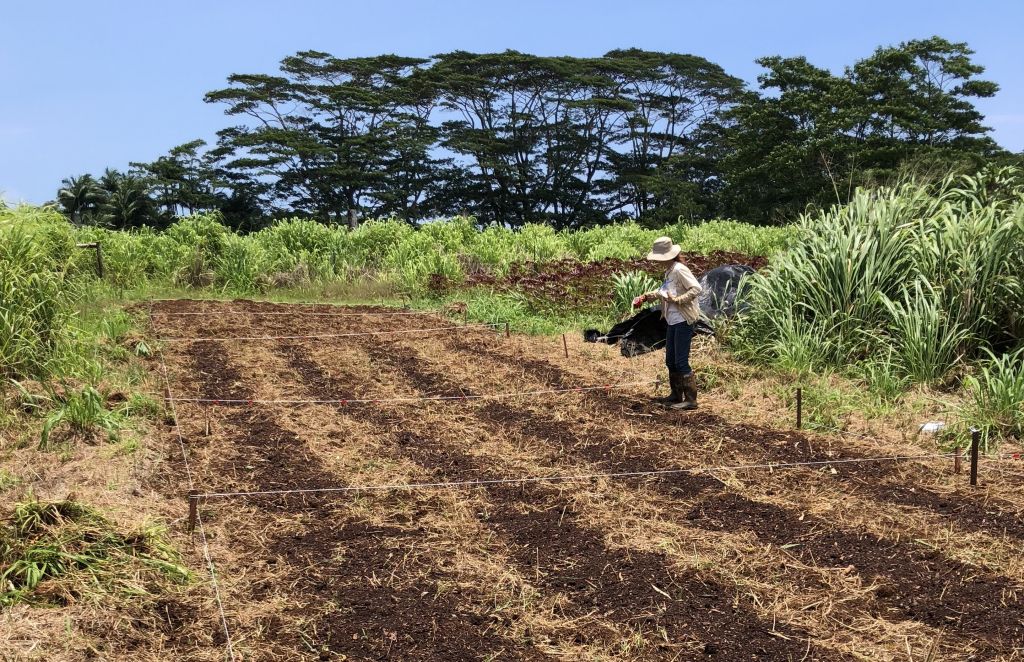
[(59, 553)]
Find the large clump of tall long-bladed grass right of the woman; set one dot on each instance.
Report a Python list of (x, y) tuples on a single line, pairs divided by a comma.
[(929, 278)]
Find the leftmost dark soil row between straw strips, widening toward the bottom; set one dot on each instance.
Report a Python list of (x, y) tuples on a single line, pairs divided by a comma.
[(350, 615)]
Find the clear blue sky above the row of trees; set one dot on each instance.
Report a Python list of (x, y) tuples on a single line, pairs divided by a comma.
[(86, 86)]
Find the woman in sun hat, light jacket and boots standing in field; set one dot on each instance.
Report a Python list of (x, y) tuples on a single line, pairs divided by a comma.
[(680, 310)]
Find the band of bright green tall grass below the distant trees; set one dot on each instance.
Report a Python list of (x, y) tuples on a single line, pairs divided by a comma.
[(200, 253)]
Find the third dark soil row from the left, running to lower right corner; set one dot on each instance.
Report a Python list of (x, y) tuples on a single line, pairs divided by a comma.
[(944, 593)]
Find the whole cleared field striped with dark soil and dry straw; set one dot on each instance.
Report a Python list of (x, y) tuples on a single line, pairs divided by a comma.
[(834, 561)]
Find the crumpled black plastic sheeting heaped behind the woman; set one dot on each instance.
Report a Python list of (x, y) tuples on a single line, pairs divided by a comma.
[(645, 333)]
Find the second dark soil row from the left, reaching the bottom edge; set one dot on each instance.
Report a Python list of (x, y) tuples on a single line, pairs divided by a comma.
[(554, 545)]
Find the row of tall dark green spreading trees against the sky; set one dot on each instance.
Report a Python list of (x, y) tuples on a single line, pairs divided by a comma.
[(513, 138)]
